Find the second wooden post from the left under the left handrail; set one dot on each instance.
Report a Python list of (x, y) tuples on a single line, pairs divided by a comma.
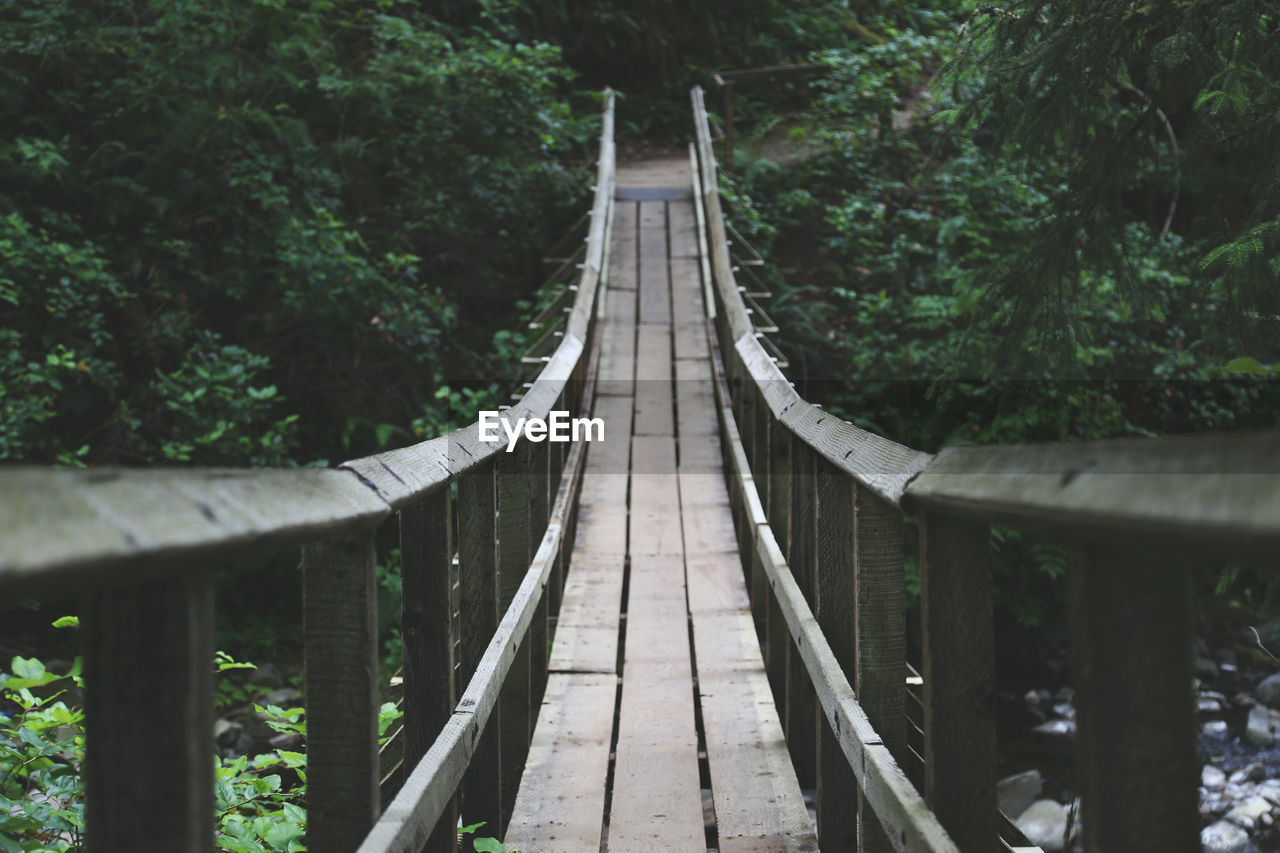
[(340, 626)]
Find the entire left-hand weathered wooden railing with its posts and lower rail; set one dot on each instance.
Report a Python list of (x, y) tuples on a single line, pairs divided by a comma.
[(141, 549)]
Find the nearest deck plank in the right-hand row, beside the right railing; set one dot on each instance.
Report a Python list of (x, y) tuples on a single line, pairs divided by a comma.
[(758, 800)]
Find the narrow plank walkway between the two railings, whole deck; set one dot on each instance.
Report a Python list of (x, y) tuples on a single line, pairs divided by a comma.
[(684, 751)]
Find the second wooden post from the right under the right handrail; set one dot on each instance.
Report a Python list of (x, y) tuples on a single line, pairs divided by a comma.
[(959, 679)]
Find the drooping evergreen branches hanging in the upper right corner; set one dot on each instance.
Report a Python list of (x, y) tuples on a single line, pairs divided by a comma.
[(1162, 115)]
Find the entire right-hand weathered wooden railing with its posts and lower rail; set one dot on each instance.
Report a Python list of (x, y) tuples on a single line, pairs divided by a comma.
[(820, 509)]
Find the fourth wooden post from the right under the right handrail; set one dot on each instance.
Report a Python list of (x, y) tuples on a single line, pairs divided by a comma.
[(834, 609)]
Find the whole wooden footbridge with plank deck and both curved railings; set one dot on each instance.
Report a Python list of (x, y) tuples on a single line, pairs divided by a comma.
[(662, 640)]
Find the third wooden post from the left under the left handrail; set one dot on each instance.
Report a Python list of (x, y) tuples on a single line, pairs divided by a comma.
[(427, 622)]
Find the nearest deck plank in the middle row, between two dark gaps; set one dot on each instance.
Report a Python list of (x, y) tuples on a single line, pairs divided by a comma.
[(656, 791)]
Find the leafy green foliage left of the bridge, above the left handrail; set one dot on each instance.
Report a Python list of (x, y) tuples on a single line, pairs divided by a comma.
[(228, 234)]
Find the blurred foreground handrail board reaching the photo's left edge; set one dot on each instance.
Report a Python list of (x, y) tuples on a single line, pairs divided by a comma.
[(85, 528)]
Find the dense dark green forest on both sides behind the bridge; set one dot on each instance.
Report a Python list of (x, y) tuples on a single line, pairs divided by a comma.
[(291, 232)]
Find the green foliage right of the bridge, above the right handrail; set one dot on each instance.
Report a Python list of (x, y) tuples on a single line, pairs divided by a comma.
[(966, 286)]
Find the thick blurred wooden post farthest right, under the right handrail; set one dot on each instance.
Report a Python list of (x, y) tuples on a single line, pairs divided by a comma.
[(1131, 612)]
